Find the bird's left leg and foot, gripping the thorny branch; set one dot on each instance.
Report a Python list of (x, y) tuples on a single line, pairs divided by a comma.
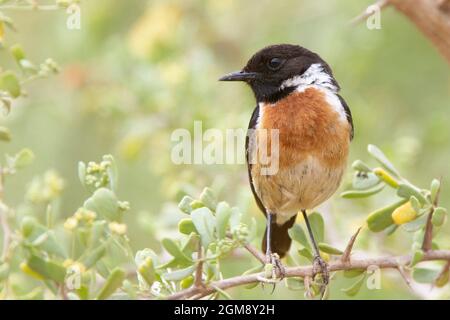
[(274, 270)]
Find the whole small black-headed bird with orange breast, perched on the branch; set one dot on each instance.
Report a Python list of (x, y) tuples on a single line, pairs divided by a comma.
[(296, 95)]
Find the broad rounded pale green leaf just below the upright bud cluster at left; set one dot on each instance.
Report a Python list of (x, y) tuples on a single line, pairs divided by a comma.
[(104, 202)]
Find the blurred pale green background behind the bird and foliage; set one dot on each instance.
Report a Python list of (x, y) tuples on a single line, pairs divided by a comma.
[(137, 70)]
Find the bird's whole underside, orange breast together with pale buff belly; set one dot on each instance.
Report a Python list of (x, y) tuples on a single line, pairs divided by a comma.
[(313, 148)]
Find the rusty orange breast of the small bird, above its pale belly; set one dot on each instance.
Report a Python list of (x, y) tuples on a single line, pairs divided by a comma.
[(308, 126)]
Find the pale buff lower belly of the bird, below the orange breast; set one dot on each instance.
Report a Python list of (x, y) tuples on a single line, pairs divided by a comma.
[(302, 186)]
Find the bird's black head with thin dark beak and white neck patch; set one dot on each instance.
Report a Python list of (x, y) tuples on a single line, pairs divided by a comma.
[(277, 70)]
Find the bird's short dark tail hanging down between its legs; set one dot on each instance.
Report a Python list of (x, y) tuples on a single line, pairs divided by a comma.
[(280, 241)]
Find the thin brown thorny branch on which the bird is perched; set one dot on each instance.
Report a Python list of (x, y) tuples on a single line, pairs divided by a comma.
[(382, 263)]
